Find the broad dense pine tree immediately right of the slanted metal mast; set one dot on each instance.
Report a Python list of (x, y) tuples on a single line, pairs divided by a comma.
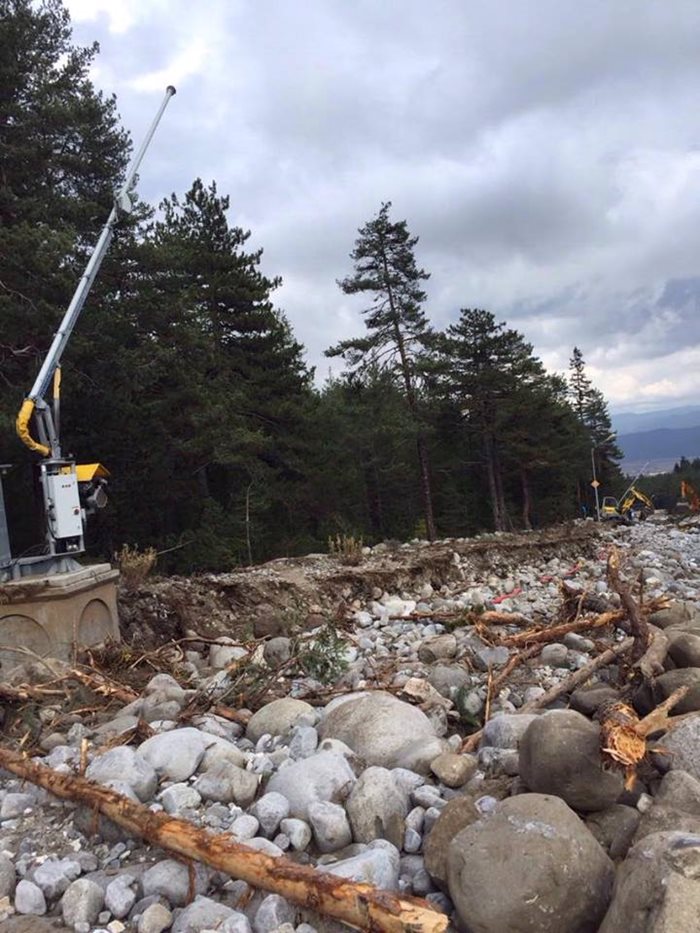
[(200, 395)]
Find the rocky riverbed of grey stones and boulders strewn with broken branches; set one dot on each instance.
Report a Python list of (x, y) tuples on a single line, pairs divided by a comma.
[(350, 755)]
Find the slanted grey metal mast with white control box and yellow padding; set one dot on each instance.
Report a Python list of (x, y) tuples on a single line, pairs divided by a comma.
[(70, 491)]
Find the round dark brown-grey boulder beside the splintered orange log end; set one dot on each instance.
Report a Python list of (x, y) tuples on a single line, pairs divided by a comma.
[(560, 755)]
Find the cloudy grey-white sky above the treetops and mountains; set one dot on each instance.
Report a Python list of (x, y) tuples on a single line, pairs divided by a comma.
[(545, 152)]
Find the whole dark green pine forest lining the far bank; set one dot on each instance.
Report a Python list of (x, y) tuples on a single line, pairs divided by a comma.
[(186, 380)]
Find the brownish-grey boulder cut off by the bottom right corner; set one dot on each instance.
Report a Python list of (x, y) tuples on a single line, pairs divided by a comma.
[(657, 887)]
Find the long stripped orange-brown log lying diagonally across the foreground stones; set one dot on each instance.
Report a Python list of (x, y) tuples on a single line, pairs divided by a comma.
[(359, 905)]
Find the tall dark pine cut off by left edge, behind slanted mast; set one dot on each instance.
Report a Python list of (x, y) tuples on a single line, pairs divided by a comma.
[(62, 154)]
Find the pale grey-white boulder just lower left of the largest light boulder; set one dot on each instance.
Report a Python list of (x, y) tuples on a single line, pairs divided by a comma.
[(323, 776)]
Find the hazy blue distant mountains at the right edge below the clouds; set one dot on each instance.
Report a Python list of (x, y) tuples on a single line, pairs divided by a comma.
[(660, 438)]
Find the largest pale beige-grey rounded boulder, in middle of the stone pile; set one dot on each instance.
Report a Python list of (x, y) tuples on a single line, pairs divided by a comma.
[(384, 731)]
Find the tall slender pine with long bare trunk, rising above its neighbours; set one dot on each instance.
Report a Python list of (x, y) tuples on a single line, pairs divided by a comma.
[(397, 328)]
